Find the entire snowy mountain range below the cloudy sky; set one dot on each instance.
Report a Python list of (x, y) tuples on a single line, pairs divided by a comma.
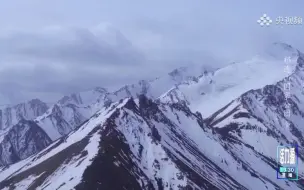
[(190, 129)]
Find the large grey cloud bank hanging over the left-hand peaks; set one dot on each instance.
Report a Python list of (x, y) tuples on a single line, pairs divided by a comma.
[(64, 60)]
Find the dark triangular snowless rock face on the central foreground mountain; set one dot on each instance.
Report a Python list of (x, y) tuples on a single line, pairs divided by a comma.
[(121, 171)]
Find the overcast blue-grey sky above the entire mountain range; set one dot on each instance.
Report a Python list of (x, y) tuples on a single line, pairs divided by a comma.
[(50, 48)]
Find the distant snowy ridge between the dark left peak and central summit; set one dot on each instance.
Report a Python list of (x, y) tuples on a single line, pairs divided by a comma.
[(70, 111)]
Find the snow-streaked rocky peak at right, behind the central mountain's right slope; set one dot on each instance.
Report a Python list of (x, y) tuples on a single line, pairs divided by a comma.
[(265, 109)]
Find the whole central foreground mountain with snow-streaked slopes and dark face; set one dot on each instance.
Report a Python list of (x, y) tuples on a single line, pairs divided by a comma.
[(146, 145)]
